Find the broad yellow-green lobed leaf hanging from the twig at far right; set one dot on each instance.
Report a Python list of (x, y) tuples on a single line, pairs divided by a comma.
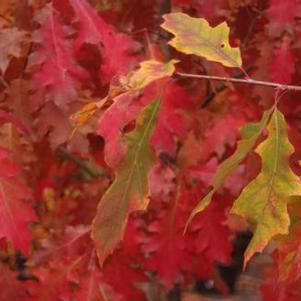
[(263, 202)]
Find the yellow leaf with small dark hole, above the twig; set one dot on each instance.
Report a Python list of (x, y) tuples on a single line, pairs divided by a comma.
[(196, 36)]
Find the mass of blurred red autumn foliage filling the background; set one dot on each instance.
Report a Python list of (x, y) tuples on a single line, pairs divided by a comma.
[(55, 57)]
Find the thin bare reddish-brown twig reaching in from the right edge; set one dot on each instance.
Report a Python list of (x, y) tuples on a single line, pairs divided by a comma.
[(242, 81)]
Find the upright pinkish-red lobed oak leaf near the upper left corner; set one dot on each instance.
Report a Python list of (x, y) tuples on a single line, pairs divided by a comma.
[(58, 77)]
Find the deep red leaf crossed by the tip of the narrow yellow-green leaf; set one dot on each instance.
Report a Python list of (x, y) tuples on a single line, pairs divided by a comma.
[(209, 237)]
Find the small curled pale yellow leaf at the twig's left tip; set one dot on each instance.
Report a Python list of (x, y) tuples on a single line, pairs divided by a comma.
[(150, 71)]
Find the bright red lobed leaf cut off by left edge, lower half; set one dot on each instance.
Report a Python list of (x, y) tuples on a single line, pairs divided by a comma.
[(15, 212)]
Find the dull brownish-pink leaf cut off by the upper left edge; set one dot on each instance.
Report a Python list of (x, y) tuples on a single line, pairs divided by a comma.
[(10, 45)]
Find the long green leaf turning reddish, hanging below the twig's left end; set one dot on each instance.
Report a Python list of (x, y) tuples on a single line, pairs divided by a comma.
[(129, 191)]
